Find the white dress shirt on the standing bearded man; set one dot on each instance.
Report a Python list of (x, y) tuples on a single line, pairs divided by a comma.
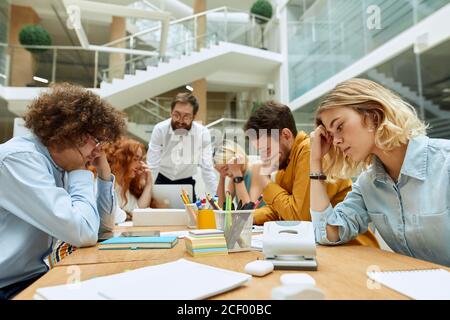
[(177, 156)]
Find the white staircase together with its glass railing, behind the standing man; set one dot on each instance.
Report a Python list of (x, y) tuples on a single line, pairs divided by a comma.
[(229, 55)]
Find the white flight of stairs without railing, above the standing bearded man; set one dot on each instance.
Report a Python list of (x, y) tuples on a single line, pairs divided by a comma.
[(153, 81)]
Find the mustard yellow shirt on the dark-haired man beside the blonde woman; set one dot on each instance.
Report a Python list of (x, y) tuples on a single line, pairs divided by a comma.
[(288, 198)]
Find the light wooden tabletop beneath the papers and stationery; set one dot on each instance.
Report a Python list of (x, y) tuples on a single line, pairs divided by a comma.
[(341, 274)]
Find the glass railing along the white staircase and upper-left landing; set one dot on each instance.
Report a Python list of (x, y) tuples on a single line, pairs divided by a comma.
[(91, 66)]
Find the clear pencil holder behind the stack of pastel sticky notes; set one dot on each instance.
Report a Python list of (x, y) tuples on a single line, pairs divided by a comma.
[(237, 227)]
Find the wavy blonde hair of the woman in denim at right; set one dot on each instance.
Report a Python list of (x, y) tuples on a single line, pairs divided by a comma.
[(396, 122)]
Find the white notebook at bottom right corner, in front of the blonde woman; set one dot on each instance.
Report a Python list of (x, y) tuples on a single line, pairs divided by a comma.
[(433, 284)]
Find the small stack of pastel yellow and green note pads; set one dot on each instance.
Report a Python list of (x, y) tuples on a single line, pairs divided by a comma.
[(206, 242)]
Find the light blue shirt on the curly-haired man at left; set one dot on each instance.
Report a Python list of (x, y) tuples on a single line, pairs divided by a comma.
[(40, 202)]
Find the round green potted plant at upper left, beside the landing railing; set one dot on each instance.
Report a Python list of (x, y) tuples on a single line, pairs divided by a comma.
[(34, 35)]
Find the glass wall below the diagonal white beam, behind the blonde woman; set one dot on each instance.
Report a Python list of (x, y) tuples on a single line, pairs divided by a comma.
[(423, 81)]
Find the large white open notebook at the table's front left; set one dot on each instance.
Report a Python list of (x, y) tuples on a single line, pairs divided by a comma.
[(181, 279)]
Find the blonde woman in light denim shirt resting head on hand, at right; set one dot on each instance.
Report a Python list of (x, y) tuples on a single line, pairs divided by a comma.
[(404, 181)]
